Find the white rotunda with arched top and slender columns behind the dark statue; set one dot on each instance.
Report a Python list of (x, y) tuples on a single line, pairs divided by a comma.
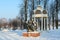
[(40, 16)]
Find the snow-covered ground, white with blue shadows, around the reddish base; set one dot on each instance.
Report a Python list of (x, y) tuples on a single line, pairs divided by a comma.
[(17, 35)]
